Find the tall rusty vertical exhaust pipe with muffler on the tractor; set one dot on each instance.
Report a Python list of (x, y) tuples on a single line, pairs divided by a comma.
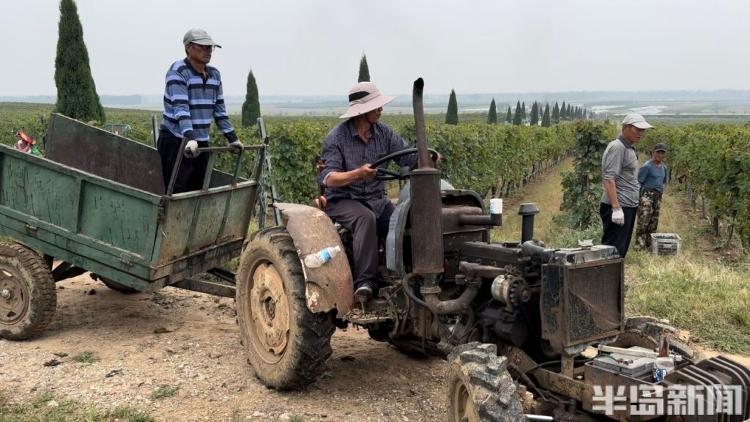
[(426, 202)]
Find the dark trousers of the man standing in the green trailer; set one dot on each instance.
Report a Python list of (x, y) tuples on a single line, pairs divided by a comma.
[(192, 170)]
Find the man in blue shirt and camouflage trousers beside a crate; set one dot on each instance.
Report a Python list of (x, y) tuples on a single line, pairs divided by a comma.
[(652, 176)]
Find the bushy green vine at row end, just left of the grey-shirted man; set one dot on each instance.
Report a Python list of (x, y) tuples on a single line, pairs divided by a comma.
[(582, 188)]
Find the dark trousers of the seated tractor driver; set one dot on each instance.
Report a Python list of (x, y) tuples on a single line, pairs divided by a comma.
[(366, 220)]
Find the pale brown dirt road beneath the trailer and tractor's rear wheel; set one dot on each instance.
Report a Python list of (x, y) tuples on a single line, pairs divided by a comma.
[(177, 338)]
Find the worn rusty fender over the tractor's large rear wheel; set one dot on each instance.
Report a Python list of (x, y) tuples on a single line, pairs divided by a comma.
[(330, 285)]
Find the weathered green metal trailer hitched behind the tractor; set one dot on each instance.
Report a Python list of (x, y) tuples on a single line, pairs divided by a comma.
[(97, 202)]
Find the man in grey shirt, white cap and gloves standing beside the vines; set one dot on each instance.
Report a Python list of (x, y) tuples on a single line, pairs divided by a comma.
[(619, 202)]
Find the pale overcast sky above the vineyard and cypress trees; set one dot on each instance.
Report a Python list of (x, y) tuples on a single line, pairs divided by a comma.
[(309, 47)]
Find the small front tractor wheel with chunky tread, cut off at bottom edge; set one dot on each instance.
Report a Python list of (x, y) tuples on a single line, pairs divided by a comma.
[(480, 387)]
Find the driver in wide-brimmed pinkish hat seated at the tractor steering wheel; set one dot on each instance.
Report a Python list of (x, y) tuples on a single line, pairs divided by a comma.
[(352, 196)]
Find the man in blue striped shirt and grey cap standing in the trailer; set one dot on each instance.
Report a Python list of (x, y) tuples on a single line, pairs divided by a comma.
[(192, 98)]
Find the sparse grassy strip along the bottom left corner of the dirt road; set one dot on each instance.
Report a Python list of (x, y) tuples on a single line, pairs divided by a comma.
[(47, 407)]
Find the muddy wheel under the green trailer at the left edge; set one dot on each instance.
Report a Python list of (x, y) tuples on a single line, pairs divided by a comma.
[(27, 293)]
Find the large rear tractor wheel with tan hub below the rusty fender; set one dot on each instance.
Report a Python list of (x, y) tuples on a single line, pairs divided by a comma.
[(286, 344)]
